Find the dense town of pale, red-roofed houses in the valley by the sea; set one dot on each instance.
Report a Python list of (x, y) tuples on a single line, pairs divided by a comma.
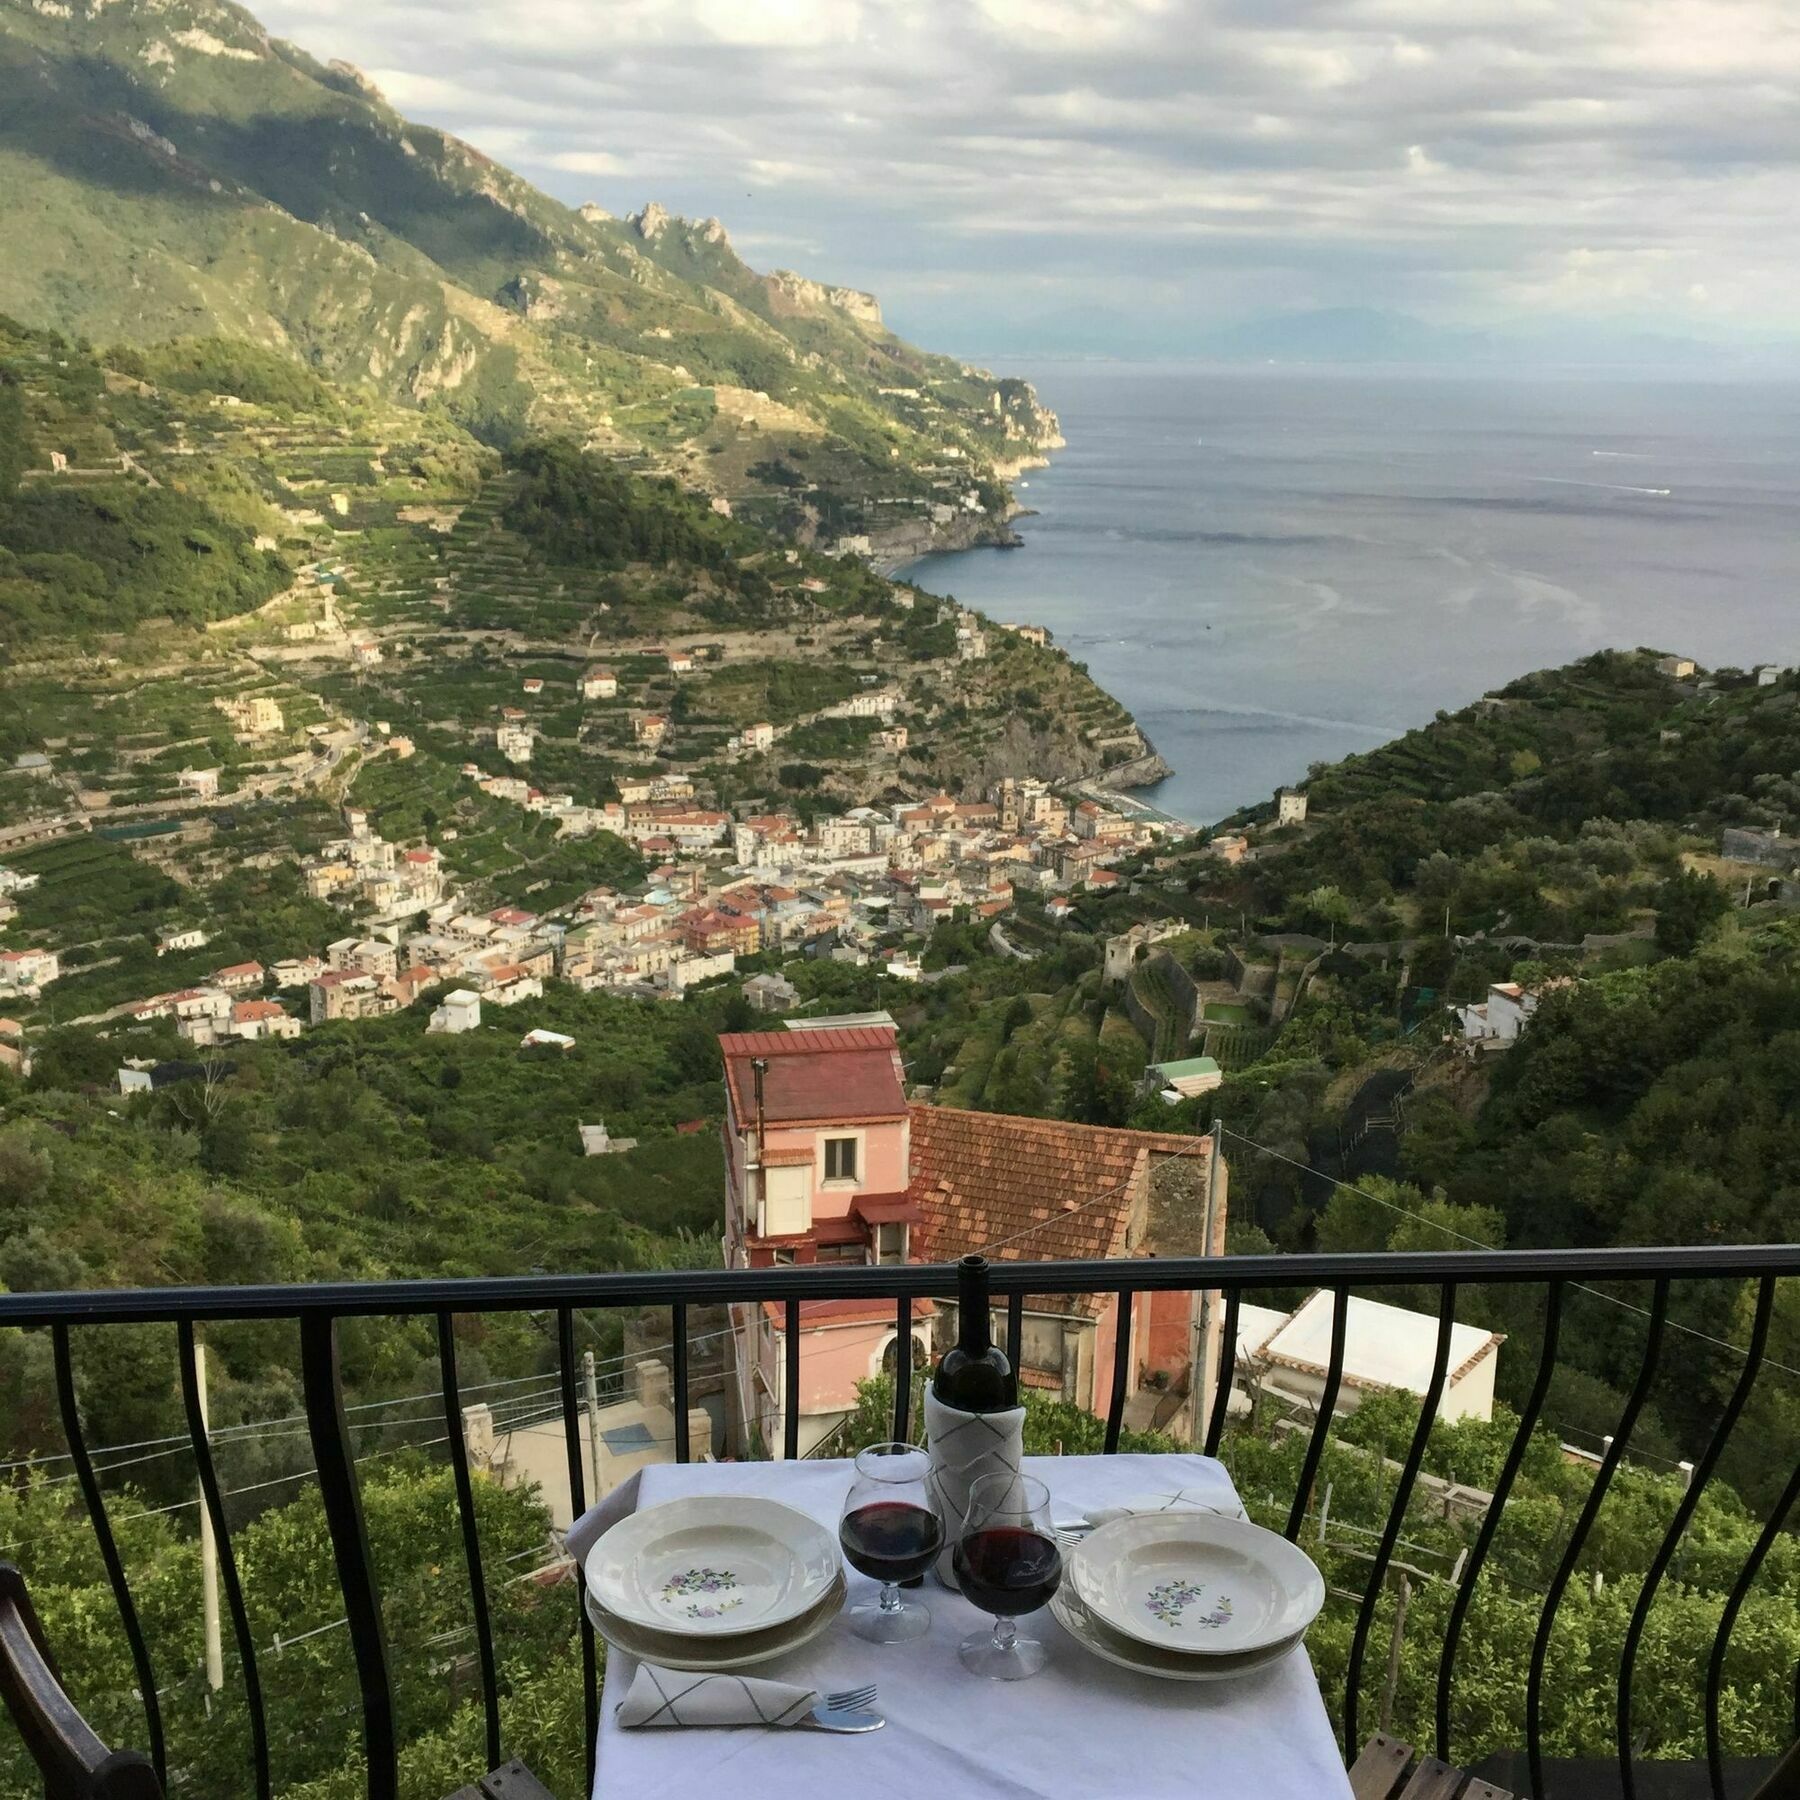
[(867, 886)]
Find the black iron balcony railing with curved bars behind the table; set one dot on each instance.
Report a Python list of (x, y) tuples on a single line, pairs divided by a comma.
[(318, 1311)]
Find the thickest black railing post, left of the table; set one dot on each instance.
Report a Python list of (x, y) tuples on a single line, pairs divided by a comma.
[(350, 1547)]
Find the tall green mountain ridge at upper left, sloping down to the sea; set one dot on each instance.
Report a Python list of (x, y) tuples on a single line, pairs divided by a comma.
[(172, 170)]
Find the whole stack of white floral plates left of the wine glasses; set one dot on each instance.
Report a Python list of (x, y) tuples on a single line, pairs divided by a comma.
[(714, 1583)]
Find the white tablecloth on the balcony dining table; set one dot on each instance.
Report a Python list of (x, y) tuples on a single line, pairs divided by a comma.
[(1081, 1731)]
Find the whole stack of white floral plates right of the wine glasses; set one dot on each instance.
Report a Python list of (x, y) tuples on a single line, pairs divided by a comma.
[(1189, 1596)]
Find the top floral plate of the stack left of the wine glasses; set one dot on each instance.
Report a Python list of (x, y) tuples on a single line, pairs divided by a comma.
[(712, 1565)]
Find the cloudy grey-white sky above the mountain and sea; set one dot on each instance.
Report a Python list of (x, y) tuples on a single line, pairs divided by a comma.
[(1124, 174)]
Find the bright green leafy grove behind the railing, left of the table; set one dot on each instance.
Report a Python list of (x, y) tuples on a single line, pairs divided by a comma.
[(292, 1597)]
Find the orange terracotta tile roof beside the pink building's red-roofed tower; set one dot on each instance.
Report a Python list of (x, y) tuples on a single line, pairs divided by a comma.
[(1032, 1191)]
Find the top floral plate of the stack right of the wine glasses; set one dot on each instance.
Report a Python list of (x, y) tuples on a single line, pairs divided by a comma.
[(1200, 1583)]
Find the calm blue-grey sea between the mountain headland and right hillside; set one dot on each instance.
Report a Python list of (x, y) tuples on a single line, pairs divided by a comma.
[(1277, 568)]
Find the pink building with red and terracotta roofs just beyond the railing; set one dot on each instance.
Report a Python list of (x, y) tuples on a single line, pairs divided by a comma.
[(825, 1162)]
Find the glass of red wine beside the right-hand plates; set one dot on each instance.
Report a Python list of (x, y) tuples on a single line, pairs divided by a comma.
[(1007, 1563)]
